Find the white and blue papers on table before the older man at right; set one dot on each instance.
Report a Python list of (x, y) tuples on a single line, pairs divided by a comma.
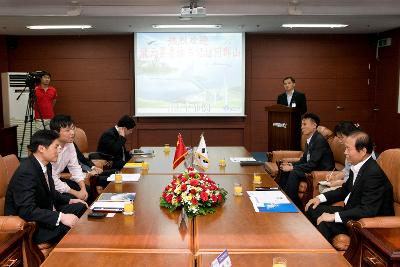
[(271, 201)]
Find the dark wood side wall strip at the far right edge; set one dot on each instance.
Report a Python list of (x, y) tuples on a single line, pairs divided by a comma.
[(387, 94)]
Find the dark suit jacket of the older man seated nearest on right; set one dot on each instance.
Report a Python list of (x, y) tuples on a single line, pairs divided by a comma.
[(371, 195)]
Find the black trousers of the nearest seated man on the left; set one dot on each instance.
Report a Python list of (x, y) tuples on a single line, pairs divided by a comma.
[(53, 234)]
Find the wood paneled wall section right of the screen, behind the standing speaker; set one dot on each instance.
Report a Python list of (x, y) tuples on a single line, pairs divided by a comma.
[(336, 72)]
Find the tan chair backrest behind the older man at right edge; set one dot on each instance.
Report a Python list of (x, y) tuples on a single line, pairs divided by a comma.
[(389, 161)]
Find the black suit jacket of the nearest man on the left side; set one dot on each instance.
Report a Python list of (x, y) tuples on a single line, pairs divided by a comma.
[(29, 196)]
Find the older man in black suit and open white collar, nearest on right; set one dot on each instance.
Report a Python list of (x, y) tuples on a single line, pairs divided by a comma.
[(367, 192)]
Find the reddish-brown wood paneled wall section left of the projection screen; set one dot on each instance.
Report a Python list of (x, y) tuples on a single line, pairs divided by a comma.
[(92, 74)]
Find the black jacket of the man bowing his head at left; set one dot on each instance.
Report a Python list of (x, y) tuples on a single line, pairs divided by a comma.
[(113, 144)]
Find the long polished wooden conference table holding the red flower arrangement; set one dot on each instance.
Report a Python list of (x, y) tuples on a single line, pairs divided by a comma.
[(154, 233)]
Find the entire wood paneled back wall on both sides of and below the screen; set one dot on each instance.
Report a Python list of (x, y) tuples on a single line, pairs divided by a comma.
[(95, 81)]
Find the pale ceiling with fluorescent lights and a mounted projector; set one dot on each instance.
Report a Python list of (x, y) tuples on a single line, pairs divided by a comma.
[(266, 16)]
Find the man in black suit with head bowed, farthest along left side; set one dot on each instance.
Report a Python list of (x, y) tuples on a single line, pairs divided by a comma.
[(112, 141)]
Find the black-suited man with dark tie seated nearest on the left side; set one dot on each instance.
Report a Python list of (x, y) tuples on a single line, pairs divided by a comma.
[(32, 196)]
